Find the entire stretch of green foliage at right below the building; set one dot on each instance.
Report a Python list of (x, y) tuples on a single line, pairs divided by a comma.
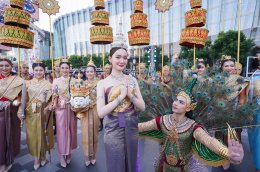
[(225, 44)]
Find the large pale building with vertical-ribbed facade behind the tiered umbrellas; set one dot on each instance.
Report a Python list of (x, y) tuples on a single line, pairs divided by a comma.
[(71, 31)]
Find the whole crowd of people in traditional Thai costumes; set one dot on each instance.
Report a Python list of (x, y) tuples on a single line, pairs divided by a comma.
[(115, 99)]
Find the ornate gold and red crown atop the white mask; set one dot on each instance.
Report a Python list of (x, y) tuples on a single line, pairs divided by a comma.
[(78, 88)]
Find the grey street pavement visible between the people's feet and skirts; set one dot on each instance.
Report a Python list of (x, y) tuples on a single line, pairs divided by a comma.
[(148, 151)]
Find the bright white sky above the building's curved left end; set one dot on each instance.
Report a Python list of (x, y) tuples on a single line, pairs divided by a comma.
[(66, 6)]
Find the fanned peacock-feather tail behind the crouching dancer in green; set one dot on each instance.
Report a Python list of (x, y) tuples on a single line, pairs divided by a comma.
[(215, 93)]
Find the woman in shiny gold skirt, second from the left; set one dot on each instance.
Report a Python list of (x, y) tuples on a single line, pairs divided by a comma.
[(39, 123)]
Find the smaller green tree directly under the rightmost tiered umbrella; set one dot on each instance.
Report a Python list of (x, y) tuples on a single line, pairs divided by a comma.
[(201, 52)]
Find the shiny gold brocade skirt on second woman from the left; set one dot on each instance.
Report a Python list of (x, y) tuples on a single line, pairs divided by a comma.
[(39, 141)]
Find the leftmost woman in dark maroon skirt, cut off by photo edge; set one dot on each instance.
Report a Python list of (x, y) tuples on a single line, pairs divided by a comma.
[(10, 87)]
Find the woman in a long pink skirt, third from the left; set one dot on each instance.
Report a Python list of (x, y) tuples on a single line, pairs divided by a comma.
[(66, 122)]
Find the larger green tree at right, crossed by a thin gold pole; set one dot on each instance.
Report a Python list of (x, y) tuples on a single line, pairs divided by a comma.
[(226, 44)]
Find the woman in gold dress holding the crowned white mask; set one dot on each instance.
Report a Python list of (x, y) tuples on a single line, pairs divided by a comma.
[(87, 113)]
